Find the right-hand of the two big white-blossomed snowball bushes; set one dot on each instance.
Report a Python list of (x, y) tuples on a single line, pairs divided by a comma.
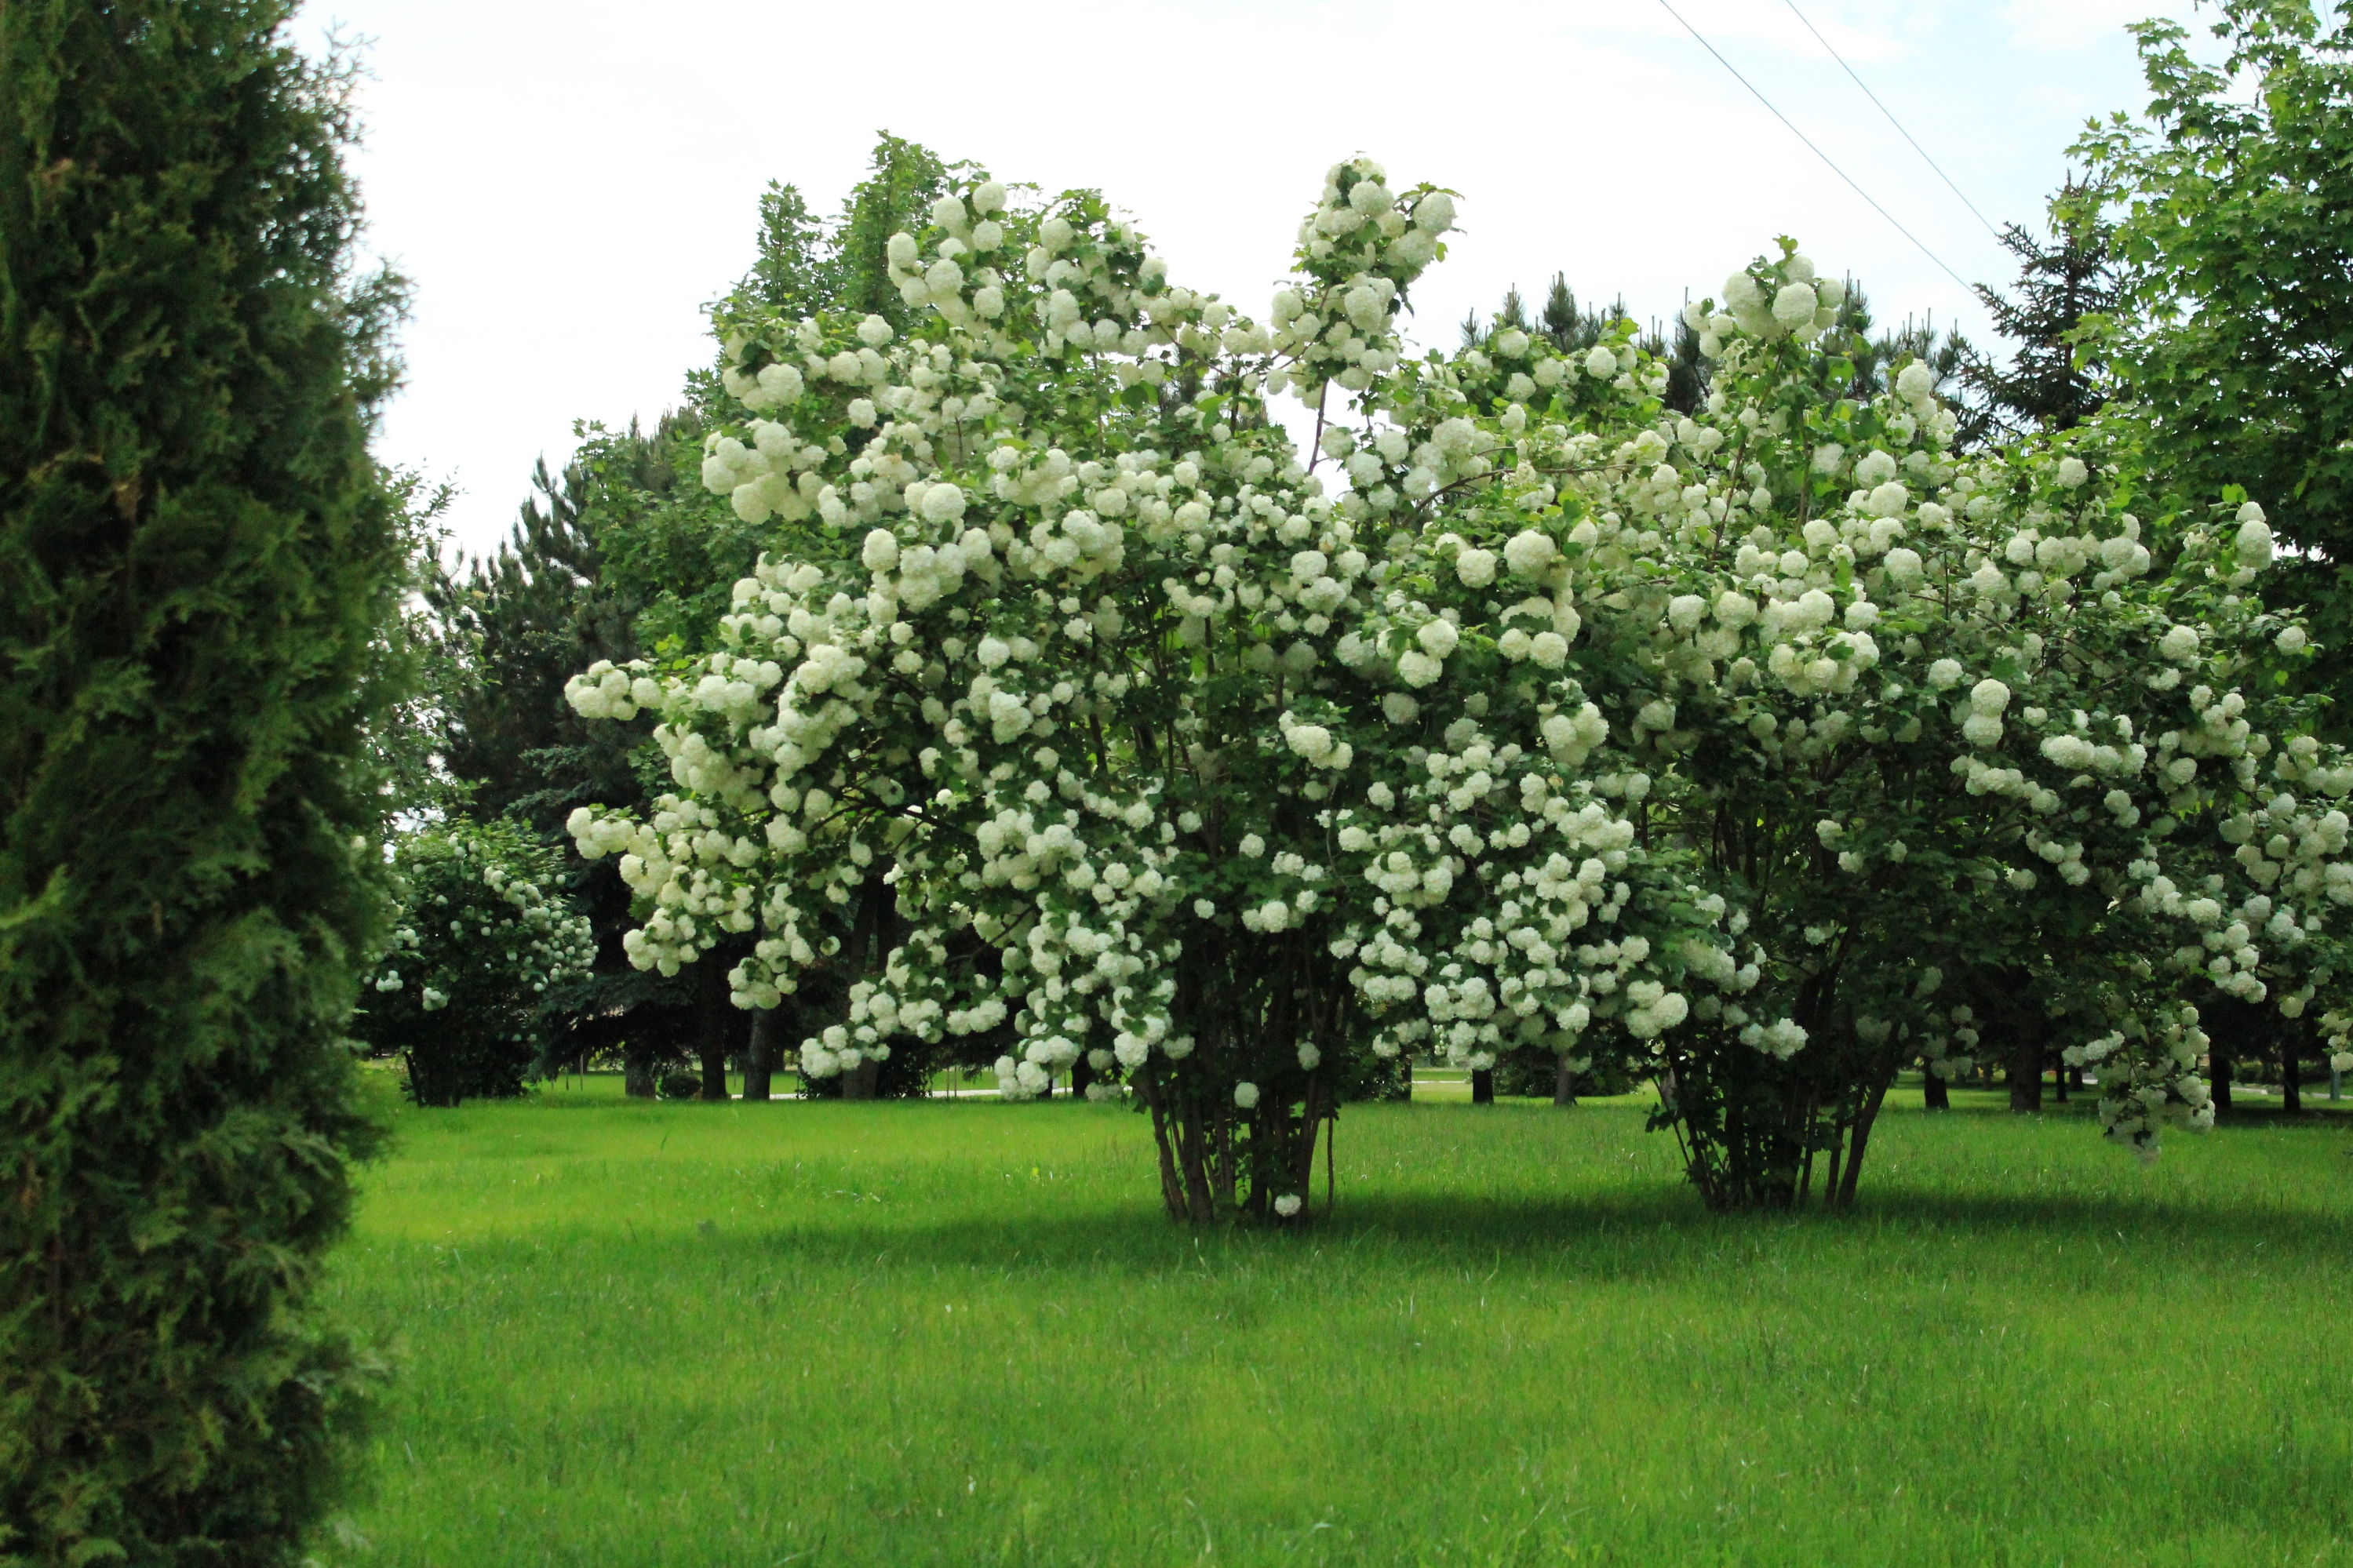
[(1919, 713)]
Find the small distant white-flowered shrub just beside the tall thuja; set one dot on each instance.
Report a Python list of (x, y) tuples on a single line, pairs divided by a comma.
[(486, 939)]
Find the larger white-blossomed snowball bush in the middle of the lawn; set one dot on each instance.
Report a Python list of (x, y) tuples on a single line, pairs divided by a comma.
[(1074, 683)]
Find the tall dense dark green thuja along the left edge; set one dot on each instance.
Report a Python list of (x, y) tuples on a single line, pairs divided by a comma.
[(196, 563)]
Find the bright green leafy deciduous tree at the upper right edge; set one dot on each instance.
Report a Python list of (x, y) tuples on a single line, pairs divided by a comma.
[(2234, 250)]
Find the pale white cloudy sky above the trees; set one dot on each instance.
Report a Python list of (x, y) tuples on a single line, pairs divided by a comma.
[(568, 182)]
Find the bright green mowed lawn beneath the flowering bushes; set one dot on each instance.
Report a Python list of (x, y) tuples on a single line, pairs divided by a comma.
[(964, 1334)]
